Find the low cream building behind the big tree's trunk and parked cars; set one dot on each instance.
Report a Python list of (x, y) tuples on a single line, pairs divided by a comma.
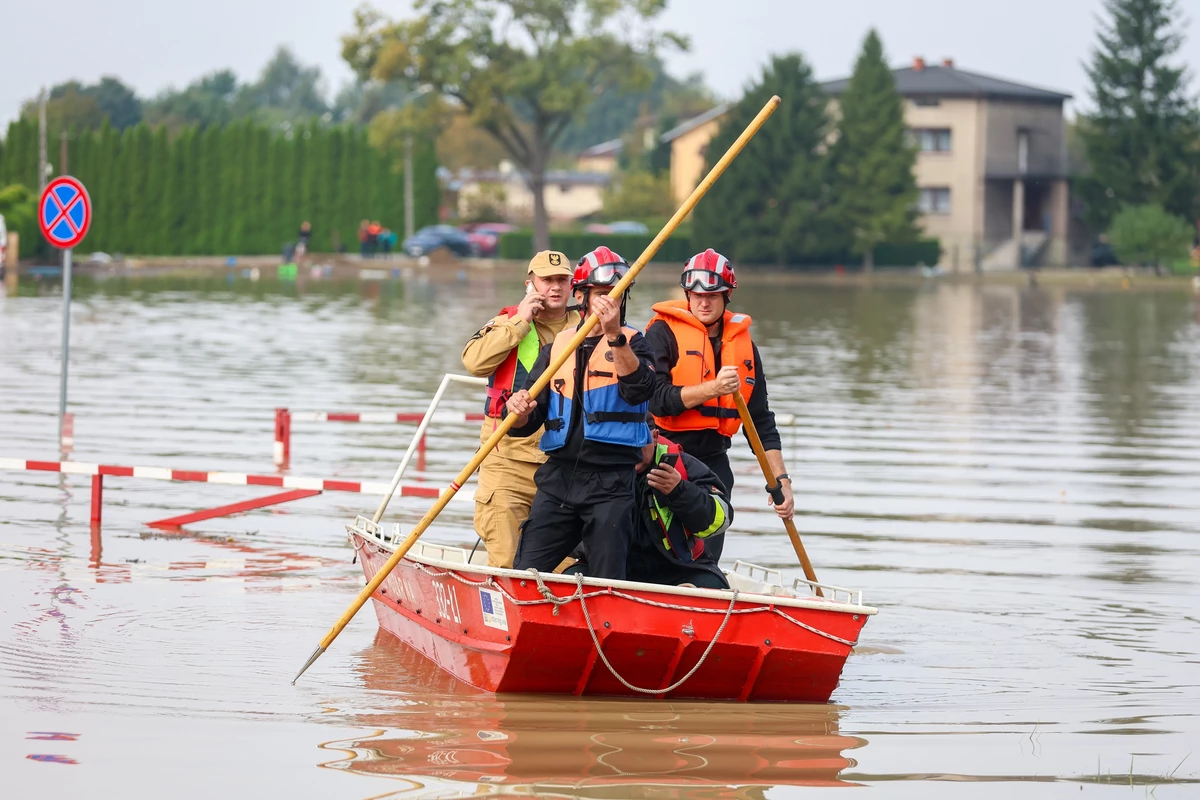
[(569, 196)]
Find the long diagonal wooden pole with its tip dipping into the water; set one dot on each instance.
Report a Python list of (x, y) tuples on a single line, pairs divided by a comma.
[(543, 382)]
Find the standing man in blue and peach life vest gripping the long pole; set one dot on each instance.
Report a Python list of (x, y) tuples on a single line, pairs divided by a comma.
[(595, 412)]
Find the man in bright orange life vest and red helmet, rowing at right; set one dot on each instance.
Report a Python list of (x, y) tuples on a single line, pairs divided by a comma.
[(704, 354)]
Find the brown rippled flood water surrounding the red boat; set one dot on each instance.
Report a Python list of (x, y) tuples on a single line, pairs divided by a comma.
[(1011, 476)]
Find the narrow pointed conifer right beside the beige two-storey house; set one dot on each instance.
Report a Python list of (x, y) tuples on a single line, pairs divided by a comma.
[(873, 161)]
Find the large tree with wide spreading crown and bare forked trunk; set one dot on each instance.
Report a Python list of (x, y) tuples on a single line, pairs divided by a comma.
[(524, 70)]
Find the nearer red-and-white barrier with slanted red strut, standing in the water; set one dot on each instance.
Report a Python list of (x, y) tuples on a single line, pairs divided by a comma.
[(313, 485)]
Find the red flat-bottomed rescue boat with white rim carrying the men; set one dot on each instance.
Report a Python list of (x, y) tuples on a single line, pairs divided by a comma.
[(512, 631)]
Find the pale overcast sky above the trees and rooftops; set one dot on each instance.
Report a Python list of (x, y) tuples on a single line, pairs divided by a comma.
[(153, 46)]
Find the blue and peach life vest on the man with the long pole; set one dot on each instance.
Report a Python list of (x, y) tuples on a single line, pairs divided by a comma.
[(607, 417)]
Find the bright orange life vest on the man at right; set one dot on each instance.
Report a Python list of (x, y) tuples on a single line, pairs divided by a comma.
[(698, 364)]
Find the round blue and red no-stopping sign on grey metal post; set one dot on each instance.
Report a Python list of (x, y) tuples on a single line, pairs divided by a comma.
[(64, 214)]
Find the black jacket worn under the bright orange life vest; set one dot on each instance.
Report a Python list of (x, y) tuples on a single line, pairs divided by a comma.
[(668, 401)]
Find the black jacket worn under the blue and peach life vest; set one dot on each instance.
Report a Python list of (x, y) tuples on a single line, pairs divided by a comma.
[(634, 389)]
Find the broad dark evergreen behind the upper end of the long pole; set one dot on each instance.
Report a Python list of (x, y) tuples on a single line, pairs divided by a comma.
[(775, 206)]
